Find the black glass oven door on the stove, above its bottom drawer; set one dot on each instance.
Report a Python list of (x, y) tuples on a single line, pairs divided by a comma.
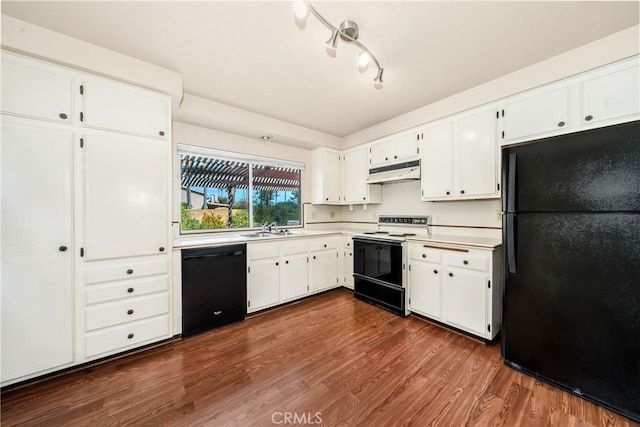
[(378, 259)]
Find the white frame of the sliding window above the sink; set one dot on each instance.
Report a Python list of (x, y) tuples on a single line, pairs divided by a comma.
[(251, 161)]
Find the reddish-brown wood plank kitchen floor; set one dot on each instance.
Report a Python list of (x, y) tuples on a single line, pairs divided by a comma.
[(329, 359)]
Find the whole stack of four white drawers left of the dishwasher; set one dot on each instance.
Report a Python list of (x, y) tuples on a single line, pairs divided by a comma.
[(127, 304)]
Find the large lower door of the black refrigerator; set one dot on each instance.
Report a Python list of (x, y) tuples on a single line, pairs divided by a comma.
[(572, 312)]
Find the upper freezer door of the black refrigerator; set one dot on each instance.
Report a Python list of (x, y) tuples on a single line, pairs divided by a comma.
[(595, 170)]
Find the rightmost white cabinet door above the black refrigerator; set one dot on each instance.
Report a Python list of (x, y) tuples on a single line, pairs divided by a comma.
[(611, 96)]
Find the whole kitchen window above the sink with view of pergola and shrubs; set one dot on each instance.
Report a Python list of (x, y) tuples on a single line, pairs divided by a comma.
[(222, 190)]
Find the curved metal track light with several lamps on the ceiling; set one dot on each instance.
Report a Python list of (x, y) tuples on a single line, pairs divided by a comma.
[(348, 32)]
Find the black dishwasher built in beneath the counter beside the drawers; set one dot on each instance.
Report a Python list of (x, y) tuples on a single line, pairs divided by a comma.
[(214, 287)]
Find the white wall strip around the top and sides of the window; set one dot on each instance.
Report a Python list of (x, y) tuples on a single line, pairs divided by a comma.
[(203, 137)]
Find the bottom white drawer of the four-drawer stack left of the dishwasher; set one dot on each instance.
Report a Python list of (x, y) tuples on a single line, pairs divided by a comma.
[(127, 336)]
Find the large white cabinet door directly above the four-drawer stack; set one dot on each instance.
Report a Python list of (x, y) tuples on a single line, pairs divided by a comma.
[(125, 201)]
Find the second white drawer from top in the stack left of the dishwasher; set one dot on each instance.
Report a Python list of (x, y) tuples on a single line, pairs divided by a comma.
[(126, 289)]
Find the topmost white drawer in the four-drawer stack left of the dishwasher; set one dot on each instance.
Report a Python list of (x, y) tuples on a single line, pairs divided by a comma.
[(125, 269)]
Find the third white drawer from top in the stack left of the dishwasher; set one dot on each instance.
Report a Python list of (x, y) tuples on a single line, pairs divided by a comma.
[(115, 313)]
